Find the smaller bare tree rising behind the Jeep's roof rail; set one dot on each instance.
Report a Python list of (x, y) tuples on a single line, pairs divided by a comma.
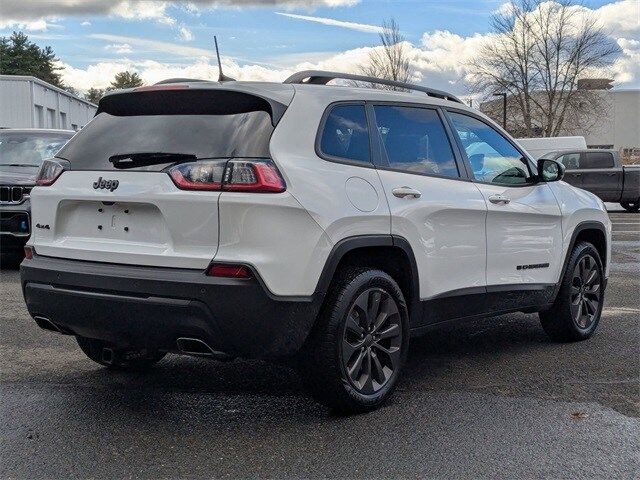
[(390, 60)]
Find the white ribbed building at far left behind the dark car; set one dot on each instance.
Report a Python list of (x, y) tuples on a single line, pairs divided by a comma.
[(27, 102)]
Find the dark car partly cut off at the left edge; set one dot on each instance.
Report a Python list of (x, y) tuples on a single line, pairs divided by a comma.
[(21, 154)]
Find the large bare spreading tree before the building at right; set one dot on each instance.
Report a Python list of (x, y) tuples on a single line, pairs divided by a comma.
[(538, 53)]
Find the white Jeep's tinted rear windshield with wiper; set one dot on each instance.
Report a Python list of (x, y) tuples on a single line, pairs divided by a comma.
[(205, 136)]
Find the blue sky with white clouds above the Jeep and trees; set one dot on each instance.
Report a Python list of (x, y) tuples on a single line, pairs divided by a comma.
[(269, 39)]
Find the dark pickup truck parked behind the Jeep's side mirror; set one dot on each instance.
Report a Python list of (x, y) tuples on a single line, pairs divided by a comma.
[(602, 173)]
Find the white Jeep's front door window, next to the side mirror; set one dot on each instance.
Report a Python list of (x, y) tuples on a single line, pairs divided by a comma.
[(493, 158)]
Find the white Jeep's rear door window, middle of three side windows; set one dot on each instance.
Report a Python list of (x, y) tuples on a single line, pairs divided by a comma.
[(415, 140)]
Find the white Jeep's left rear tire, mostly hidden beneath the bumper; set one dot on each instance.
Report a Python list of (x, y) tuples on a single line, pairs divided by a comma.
[(118, 359)]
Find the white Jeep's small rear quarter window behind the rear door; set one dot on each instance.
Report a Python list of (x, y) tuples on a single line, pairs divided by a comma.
[(345, 134)]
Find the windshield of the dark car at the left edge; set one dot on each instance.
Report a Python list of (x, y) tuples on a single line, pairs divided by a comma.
[(29, 148)]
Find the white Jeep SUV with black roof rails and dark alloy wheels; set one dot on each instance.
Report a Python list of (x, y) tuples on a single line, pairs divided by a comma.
[(322, 224)]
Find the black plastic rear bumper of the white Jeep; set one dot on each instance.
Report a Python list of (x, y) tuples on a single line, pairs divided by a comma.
[(152, 307)]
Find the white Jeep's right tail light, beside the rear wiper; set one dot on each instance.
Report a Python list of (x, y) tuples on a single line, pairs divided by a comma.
[(238, 175)]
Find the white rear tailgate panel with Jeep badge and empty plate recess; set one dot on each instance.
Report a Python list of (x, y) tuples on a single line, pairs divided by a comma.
[(145, 221)]
